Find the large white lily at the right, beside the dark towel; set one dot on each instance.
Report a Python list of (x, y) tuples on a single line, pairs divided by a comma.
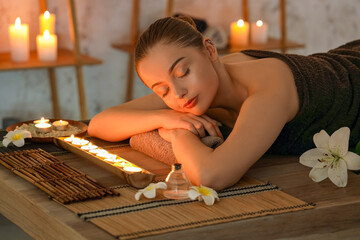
[(331, 157)]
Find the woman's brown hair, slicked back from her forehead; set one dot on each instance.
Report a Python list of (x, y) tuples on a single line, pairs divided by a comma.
[(176, 30)]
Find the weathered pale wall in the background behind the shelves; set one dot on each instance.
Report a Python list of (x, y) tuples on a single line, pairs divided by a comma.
[(319, 24)]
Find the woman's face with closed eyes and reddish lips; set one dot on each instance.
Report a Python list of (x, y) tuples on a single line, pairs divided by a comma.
[(184, 78)]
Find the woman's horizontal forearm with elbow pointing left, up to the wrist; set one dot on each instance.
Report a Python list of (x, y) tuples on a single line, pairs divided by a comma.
[(116, 124)]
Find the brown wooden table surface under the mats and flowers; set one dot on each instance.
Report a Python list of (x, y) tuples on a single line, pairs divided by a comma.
[(337, 212)]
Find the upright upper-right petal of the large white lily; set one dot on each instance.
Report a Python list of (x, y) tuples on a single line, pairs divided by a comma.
[(339, 141)]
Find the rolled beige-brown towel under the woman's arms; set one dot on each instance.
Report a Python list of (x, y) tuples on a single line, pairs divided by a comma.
[(156, 147)]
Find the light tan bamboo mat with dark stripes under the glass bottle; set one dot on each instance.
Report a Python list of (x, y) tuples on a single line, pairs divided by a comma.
[(125, 218)]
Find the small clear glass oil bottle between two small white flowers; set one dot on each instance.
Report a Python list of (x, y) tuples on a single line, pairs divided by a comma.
[(177, 183)]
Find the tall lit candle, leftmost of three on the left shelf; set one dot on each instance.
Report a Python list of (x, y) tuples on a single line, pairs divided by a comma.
[(19, 41)]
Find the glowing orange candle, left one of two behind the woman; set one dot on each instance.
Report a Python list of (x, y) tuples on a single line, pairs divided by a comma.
[(239, 33)]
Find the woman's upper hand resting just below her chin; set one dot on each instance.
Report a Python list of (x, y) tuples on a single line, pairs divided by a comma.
[(171, 119)]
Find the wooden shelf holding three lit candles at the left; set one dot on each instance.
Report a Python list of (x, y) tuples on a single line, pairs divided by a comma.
[(65, 58)]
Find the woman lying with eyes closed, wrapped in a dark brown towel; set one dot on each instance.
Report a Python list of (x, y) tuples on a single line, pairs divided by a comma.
[(274, 102)]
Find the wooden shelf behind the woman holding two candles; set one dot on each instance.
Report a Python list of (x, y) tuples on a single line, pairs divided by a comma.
[(270, 45)]
